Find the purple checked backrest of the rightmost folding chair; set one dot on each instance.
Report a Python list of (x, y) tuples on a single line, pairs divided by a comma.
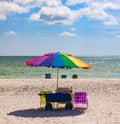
[(80, 98)]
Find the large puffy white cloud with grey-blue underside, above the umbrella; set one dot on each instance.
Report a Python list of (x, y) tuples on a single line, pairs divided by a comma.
[(55, 15)]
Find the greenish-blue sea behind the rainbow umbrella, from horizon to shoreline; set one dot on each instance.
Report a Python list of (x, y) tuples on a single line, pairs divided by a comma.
[(102, 67)]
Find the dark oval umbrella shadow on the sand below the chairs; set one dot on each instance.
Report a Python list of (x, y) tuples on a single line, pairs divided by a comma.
[(28, 113)]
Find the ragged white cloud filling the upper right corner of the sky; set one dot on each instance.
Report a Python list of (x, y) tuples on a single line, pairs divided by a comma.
[(97, 10)]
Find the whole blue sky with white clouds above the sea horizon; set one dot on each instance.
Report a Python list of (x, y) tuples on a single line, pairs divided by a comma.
[(78, 27)]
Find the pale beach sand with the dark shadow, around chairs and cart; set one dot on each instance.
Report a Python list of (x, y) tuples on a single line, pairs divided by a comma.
[(19, 101)]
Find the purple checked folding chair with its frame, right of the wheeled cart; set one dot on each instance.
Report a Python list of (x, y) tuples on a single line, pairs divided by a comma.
[(80, 100)]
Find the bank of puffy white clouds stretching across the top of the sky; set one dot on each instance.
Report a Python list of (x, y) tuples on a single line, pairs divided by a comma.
[(55, 12)]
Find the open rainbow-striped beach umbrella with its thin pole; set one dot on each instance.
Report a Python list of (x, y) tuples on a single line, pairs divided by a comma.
[(58, 60)]
